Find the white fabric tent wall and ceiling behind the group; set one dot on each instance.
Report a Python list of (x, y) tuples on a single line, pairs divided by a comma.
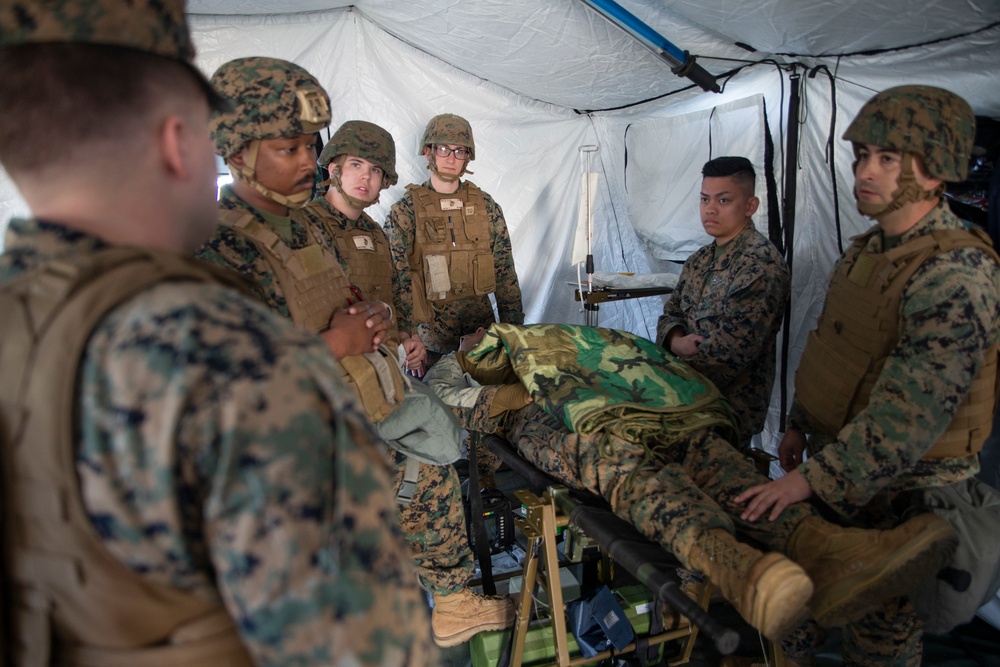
[(398, 63)]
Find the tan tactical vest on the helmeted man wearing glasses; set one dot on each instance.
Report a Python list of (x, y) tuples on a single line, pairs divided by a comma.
[(452, 256)]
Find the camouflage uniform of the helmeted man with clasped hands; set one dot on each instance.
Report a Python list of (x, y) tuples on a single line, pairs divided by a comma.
[(433, 523)]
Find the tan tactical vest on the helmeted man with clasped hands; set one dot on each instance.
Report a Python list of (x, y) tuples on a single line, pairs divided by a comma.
[(315, 285)]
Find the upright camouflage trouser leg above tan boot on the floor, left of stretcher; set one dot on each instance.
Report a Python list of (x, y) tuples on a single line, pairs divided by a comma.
[(434, 526)]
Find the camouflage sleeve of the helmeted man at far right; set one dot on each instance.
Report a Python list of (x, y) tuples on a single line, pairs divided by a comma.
[(949, 313)]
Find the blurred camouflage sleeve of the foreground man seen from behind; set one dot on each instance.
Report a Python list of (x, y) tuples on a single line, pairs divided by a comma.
[(222, 454)]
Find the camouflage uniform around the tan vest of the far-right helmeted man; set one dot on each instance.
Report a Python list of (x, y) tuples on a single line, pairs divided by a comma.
[(950, 314)]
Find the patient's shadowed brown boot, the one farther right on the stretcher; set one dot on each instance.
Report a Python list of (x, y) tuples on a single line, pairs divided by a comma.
[(856, 570)]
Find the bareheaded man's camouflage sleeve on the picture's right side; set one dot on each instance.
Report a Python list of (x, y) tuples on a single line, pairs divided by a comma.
[(754, 304)]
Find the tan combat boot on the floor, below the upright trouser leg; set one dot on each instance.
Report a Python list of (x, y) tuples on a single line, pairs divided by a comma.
[(458, 616)]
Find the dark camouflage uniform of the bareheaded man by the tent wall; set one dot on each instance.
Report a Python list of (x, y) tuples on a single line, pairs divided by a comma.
[(734, 296)]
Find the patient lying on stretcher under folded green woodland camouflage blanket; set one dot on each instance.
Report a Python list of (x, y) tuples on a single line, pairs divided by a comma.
[(616, 415)]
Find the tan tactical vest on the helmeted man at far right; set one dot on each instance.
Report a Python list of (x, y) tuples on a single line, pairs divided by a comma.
[(859, 328)]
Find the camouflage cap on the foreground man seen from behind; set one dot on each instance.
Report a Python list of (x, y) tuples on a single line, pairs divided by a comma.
[(153, 26)]
